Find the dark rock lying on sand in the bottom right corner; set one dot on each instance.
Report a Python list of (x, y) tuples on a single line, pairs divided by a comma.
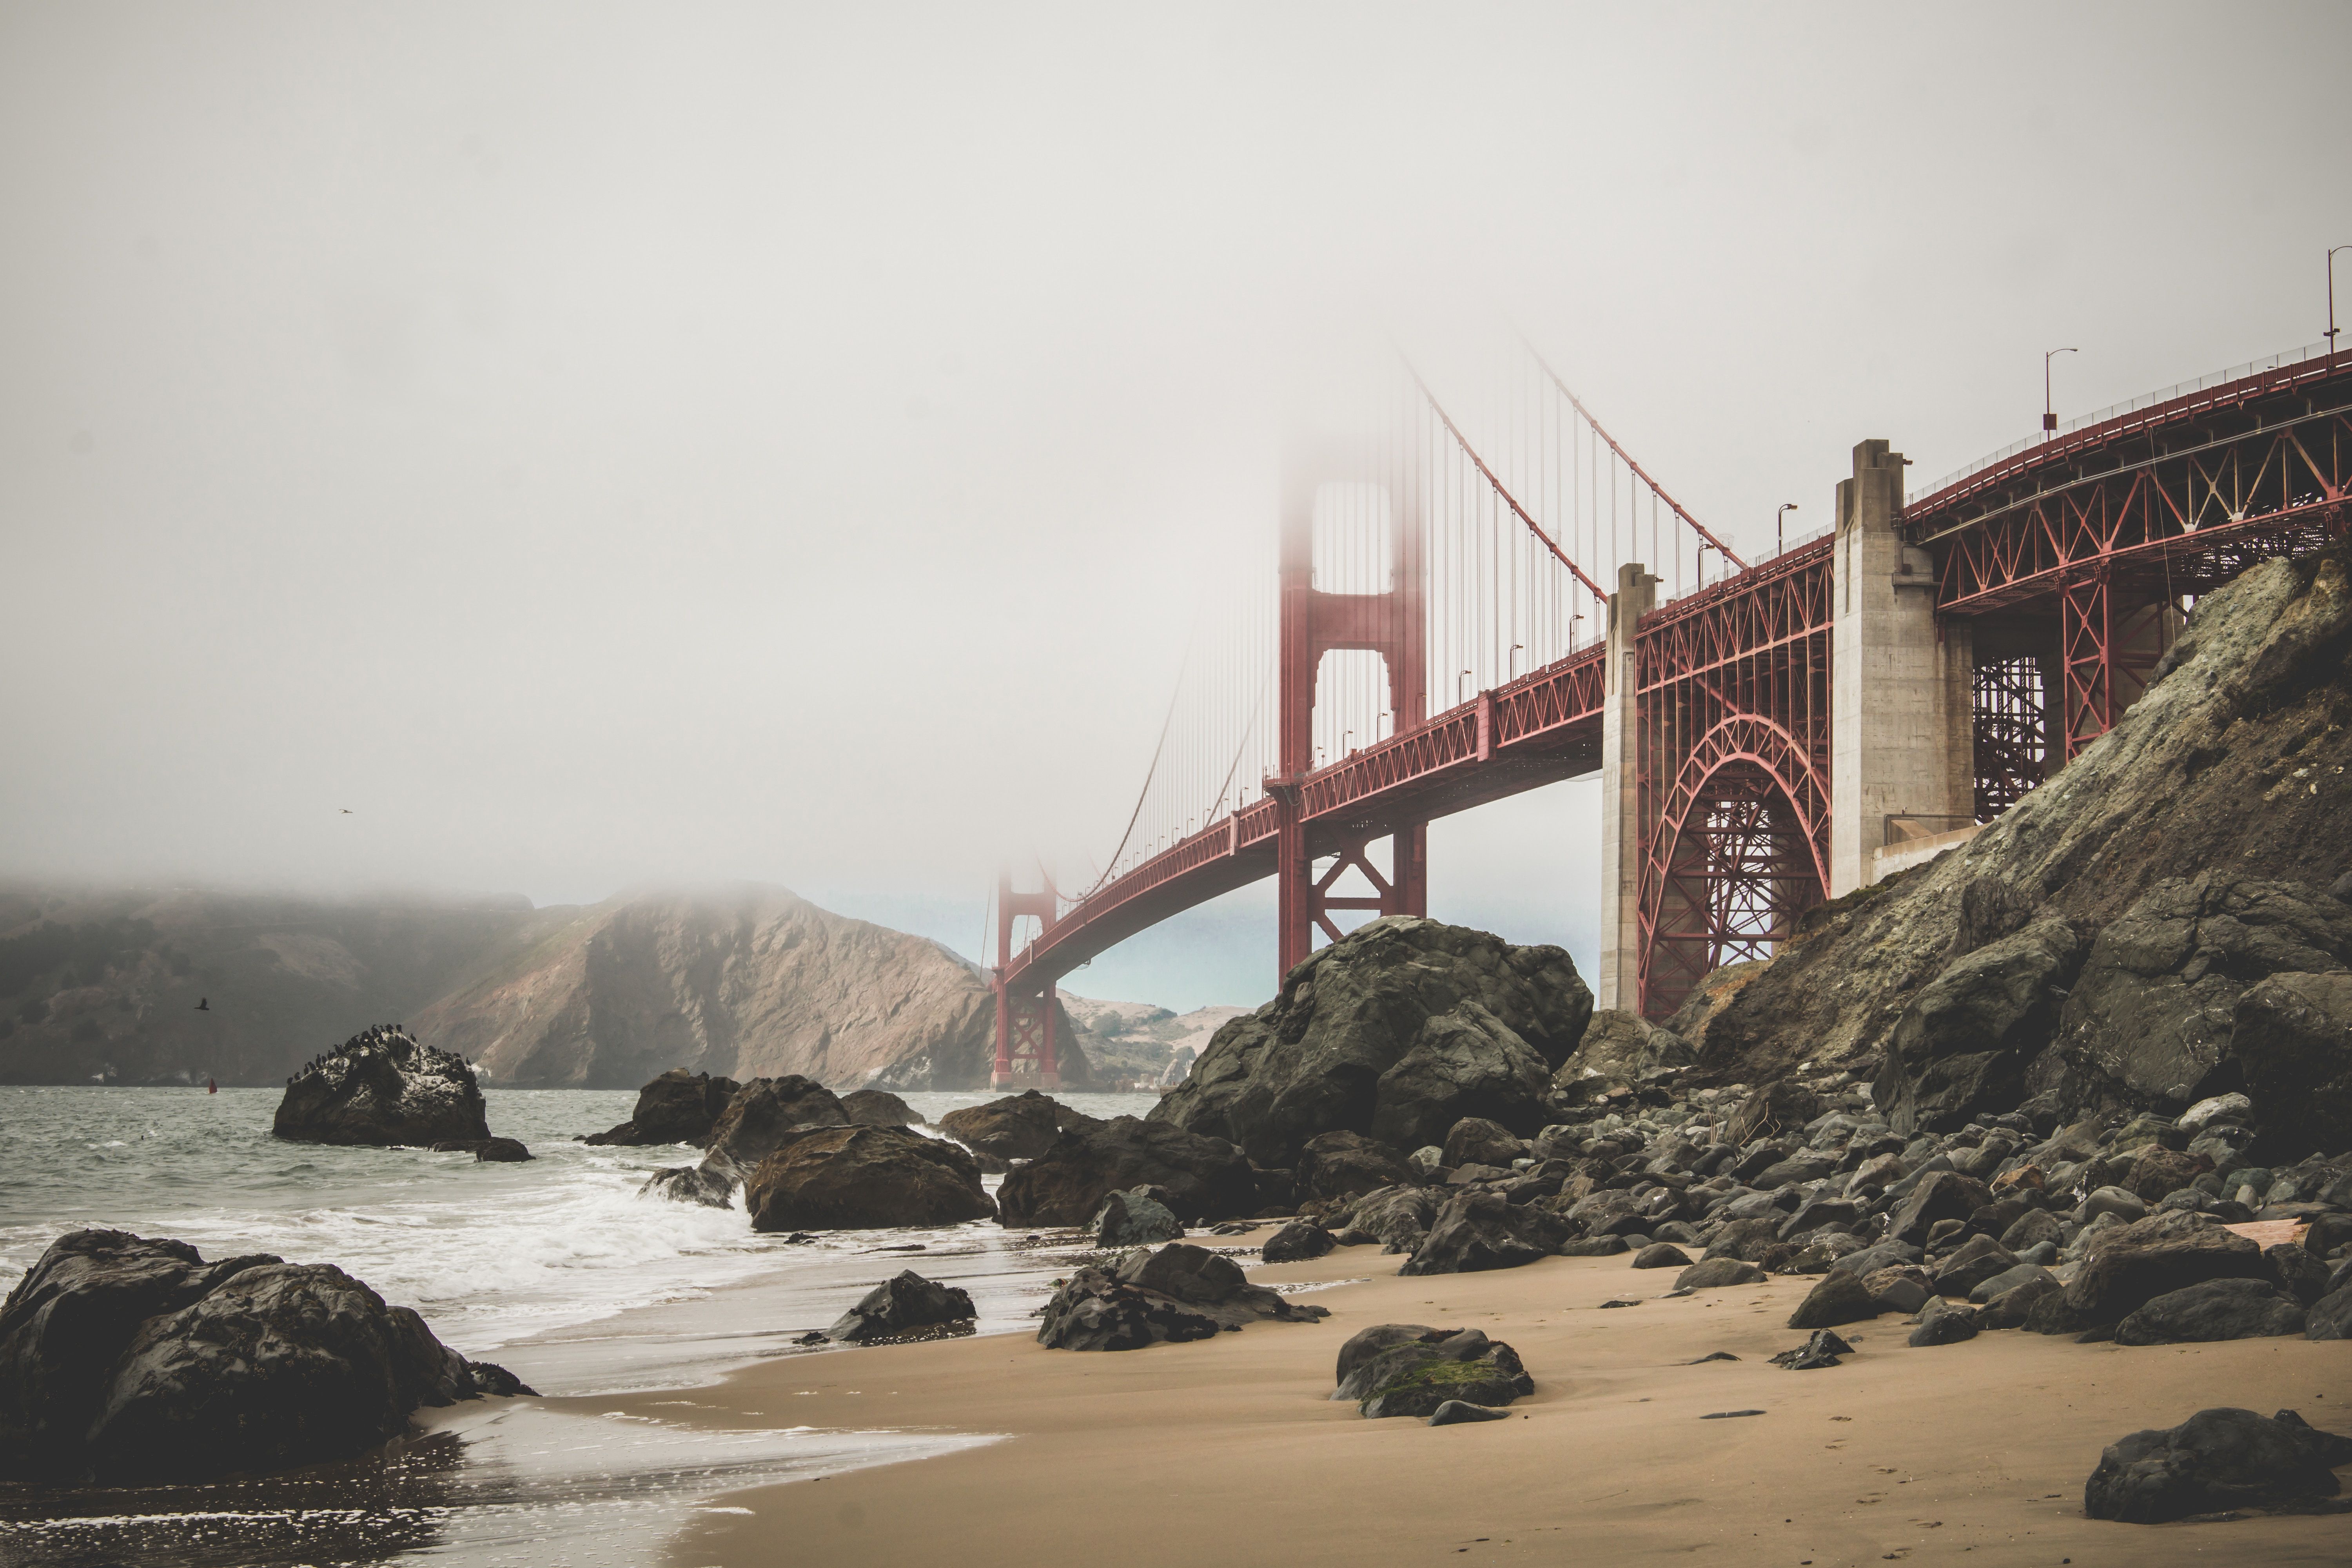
[(2212, 1463)]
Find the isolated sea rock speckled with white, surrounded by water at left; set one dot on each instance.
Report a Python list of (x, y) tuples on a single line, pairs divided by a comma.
[(385, 1087)]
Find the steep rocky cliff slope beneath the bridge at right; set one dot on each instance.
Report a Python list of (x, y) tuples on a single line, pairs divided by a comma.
[(2170, 869)]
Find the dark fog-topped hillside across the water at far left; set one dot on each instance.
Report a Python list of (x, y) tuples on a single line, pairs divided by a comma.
[(102, 984)]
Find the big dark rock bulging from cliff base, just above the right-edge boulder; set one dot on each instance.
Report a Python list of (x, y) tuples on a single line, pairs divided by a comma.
[(2153, 1012)]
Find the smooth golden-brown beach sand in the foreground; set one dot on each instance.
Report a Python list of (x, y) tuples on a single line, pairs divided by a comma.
[(1231, 1449)]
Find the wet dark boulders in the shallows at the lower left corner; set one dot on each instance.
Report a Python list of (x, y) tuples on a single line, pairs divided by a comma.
[(135, 1362)]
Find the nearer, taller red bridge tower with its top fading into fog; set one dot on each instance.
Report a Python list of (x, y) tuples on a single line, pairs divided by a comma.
[(1314, 624)]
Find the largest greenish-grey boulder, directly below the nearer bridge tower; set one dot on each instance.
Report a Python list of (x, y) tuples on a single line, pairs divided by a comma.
[(1396, 1031)]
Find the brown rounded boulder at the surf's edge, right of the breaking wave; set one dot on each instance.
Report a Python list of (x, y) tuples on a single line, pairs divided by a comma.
[(862, 1179)]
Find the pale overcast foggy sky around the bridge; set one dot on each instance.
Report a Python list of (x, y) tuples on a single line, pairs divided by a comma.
[(606, 445)]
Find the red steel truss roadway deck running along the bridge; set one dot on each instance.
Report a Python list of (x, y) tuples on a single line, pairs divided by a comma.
[(2139, 492)]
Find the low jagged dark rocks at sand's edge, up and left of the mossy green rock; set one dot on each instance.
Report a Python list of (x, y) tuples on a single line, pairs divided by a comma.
[(1170, 1296)]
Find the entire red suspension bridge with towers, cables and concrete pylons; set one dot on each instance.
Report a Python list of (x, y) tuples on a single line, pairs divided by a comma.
[(1448, 622)]
